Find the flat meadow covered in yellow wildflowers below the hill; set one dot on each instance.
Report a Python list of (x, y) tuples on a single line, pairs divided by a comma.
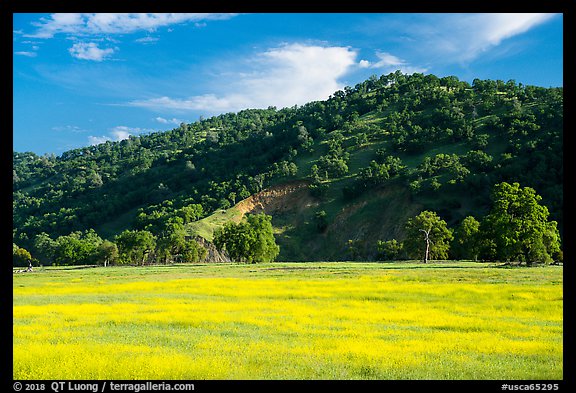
[(289, 321)]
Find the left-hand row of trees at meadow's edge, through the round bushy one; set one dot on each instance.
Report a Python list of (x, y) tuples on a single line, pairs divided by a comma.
[(249, 241)]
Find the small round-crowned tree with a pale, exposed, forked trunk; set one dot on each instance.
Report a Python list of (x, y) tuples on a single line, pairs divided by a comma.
[(427, 237)]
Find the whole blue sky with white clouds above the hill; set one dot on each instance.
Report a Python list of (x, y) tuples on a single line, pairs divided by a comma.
[(82, 79)]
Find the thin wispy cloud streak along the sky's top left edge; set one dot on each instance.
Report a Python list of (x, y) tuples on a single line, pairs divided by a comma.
[(114, 23)]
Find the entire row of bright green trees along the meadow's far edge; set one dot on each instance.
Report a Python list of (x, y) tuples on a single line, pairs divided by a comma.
[(517, 228)]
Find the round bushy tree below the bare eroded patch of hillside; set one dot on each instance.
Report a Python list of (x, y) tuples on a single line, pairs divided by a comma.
[(251, 240)]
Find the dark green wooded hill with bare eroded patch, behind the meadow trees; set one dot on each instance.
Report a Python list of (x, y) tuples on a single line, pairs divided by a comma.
[(336, 175)]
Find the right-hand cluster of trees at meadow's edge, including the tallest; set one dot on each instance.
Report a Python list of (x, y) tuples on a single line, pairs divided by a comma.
[(517, 228)]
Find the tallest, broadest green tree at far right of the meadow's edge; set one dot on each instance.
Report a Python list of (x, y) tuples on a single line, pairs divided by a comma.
[(517, 225)]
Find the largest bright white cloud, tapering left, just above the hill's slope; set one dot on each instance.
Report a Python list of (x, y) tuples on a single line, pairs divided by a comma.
[(292, 74)]
